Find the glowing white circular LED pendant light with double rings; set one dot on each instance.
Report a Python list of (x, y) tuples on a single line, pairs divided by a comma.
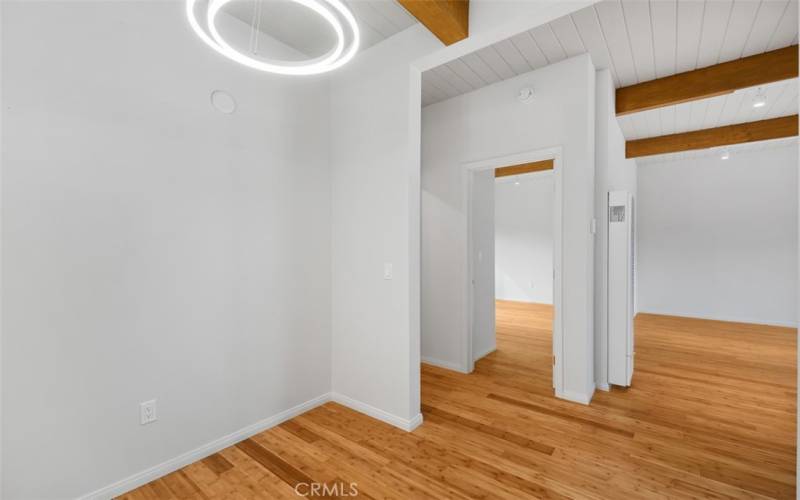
[(329, 10)]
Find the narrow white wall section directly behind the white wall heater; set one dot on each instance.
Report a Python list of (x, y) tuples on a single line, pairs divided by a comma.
[(613, 172)]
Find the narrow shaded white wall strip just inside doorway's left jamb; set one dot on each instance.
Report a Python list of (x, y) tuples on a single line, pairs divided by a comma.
[(482, 263)]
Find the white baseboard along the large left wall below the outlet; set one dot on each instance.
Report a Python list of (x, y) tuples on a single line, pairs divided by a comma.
[(153, 473)]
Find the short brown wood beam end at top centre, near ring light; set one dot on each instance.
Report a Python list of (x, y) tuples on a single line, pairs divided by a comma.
[(447, 19)]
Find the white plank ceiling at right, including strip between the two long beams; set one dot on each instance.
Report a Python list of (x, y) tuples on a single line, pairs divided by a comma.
[(640, 40)]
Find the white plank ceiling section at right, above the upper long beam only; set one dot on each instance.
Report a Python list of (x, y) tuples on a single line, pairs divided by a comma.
[(637, 40)]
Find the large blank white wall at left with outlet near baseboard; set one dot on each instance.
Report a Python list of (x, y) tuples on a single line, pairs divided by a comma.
[(152, 247)]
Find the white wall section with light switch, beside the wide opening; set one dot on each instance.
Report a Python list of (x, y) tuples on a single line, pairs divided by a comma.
[(375, 186)]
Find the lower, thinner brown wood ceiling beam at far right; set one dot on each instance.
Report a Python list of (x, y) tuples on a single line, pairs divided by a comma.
[(763, 130)]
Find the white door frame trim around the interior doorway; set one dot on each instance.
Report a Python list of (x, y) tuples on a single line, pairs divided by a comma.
[(470, 168)]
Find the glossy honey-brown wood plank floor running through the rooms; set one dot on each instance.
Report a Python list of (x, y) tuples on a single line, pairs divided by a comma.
[(711, 414)]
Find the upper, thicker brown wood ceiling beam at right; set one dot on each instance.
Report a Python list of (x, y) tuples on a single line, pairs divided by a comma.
[(714, 80)]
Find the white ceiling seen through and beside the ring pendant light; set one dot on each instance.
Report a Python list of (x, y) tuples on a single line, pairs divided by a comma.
[(290, 23)]
